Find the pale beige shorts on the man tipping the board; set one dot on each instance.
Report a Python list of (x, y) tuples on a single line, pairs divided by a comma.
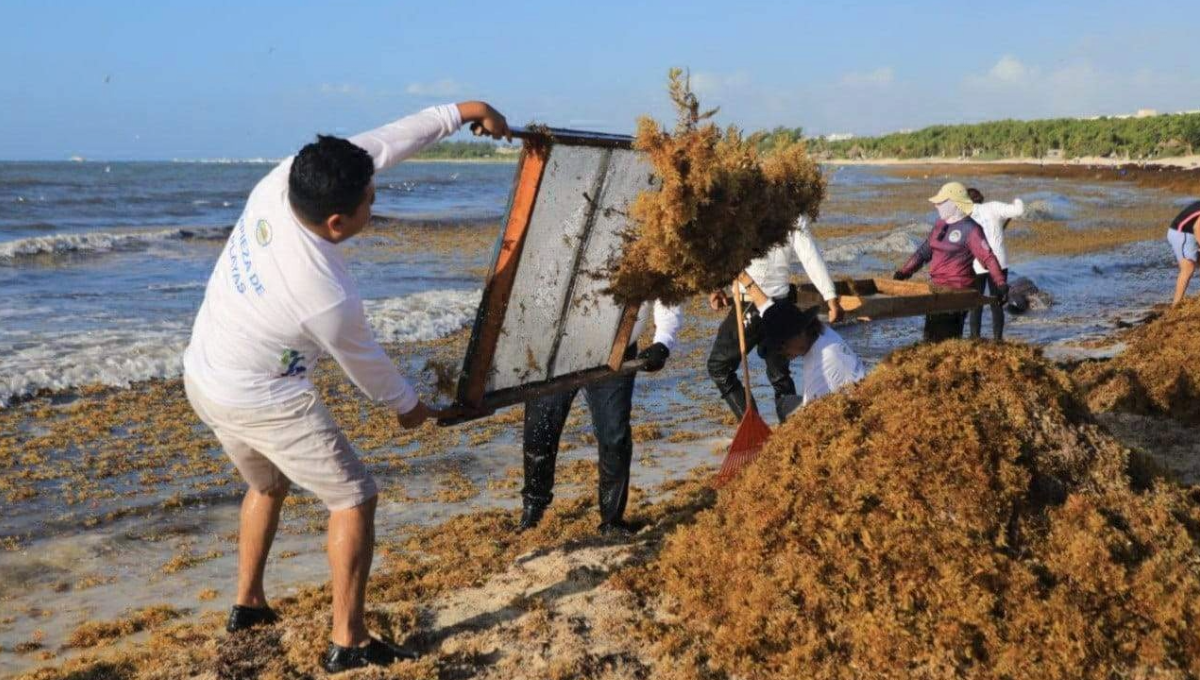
[(297, 442)]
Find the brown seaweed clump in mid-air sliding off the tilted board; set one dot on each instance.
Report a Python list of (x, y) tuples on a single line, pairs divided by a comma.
[(719, 204)]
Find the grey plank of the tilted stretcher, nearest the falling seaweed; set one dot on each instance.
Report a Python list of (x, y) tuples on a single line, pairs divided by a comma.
[(591, 317)]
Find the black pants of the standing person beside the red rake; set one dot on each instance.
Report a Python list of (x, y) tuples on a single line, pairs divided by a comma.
[(725, 360)]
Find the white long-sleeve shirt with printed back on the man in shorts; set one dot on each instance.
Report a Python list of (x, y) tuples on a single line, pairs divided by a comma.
[(283, 297)]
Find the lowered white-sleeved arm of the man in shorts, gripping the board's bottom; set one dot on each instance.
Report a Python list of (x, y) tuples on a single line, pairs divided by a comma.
[(345, 334)]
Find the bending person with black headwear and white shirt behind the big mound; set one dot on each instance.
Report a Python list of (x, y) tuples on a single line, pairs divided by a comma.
[(830, 364)]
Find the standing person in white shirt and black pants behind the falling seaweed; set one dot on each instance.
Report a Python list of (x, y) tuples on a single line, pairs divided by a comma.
[(773, 274)]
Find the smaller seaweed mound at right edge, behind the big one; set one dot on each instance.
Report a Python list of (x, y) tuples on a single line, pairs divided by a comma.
[(1157, 374)]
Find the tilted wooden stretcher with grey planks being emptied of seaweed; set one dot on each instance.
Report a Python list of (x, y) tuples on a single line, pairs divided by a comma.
[(545, 324)]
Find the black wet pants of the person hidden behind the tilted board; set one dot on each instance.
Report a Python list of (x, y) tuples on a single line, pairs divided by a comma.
[(611, 402)]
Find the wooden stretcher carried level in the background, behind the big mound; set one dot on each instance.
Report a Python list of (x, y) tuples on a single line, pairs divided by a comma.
[(874, 299)]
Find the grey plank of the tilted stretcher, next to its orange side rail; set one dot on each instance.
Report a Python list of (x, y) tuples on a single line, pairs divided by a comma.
[(533, 318)]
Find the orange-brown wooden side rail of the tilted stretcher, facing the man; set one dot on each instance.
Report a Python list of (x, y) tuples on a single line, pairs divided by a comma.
[(500, 286)]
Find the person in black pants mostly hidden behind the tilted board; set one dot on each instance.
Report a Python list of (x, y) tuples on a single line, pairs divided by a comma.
[(611, 402)]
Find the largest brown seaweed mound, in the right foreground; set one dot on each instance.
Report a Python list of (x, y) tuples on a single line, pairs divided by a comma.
[(956, 515)]
